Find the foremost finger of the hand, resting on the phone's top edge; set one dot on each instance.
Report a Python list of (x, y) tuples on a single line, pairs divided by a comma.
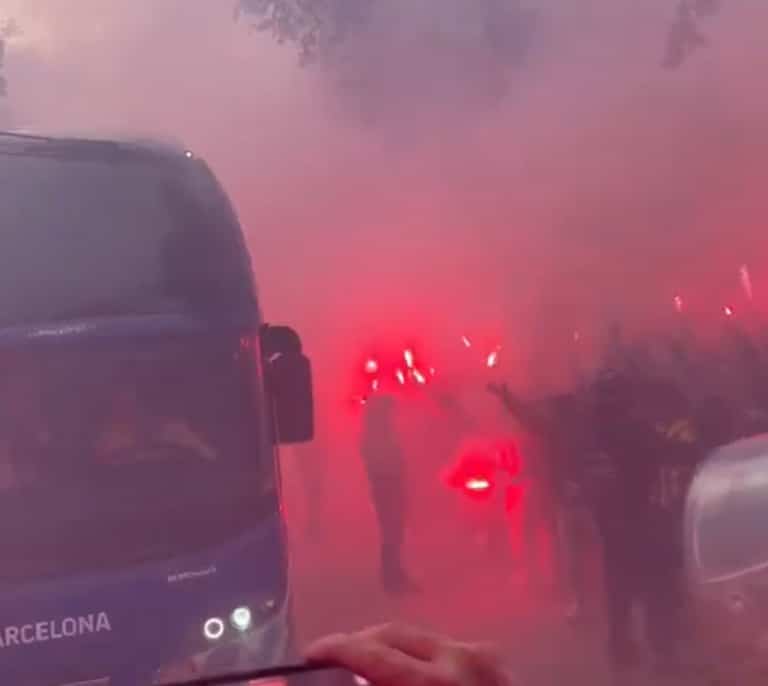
[(374, 661)]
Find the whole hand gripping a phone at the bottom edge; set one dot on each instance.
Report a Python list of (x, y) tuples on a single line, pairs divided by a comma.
[(397, 655)]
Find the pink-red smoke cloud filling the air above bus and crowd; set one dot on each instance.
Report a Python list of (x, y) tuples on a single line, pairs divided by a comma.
[(592, 185)]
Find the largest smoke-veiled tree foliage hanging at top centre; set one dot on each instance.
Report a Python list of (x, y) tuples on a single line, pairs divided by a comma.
[(396, 57)]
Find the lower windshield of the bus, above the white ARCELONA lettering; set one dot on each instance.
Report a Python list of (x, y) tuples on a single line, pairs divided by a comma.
[(113, 459)]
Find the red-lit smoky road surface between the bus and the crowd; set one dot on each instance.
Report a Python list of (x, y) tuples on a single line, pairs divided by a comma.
[(466, 593)]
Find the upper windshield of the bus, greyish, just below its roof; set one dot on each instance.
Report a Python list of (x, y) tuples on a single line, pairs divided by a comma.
[(90, 237)]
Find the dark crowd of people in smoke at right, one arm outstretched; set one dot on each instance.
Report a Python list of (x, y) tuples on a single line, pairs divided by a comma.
[(620, 450)]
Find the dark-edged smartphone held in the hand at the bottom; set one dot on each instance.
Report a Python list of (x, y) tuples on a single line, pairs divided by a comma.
[(294, 675)]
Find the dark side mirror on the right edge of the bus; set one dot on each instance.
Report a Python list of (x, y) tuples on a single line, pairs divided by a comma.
[(289, 381)]
